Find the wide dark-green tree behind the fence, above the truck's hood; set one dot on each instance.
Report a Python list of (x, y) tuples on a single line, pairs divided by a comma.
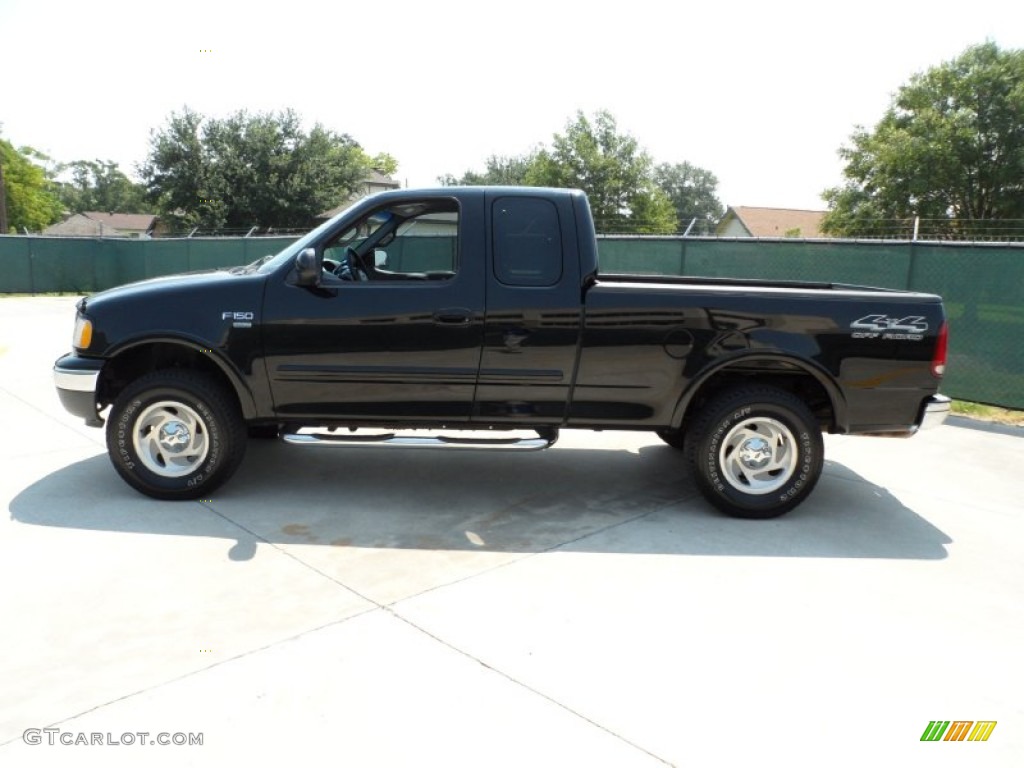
[(248, 170)]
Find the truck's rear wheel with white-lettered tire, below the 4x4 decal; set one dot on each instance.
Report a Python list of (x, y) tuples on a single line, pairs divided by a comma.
[(756, 452)]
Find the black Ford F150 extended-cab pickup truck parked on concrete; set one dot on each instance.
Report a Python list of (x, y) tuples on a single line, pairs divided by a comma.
[(483, 311)]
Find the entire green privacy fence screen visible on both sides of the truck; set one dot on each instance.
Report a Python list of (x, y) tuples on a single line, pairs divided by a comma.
[(983, 284)]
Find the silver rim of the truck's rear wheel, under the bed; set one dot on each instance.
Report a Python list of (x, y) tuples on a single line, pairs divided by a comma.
[(758, 456)]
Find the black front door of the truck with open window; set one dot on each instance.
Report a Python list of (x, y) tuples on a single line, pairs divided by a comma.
[(400, 343)]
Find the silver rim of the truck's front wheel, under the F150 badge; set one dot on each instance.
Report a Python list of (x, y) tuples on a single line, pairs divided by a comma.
[(170, 439)]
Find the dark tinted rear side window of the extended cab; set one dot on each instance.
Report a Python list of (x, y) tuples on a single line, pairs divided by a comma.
[(528, 242)]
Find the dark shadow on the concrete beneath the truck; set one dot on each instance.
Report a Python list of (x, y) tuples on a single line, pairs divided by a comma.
[(467, 501)]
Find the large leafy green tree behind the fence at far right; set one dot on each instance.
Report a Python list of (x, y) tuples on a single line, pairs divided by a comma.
[(950, 148)]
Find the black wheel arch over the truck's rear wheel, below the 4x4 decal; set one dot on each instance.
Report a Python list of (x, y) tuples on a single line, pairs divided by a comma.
[(802, 378)]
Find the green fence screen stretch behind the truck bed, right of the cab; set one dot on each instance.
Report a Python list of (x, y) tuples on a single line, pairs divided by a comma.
[(982, 284)]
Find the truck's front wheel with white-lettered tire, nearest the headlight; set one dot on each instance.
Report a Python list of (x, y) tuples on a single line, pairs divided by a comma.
[(176, 435)]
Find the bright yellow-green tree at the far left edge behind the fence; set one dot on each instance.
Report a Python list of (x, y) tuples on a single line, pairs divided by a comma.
[(30, 196)]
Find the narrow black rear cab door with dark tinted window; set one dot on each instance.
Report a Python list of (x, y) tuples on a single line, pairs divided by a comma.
[(534, 312)]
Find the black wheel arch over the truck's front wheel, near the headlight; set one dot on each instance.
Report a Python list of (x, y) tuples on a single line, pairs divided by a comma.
[(137, 359)]
